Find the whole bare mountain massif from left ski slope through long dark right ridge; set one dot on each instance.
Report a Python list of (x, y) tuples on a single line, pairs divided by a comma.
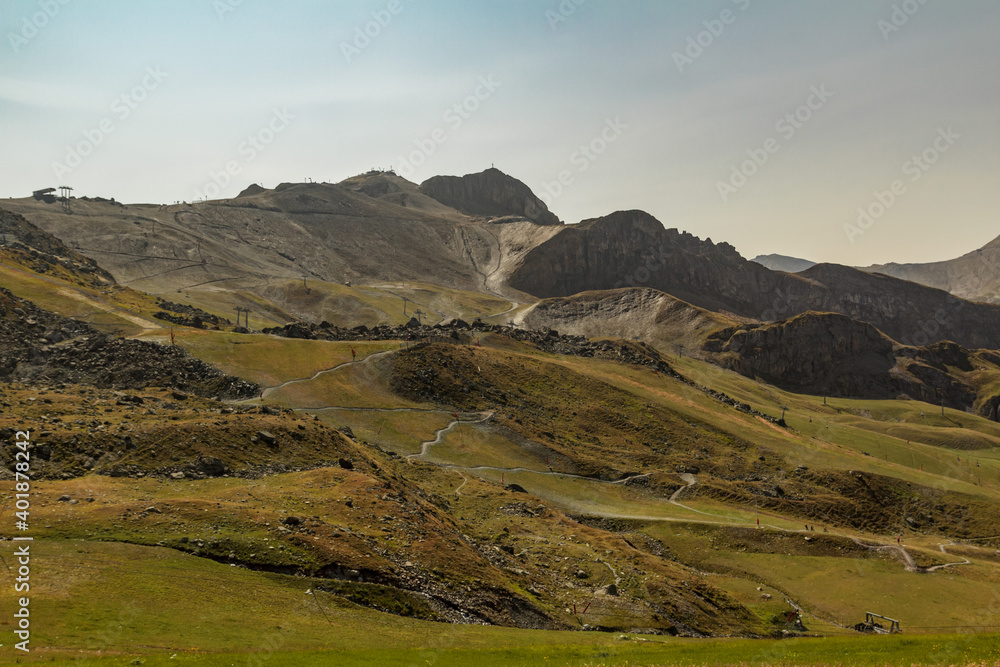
[(378, 228)]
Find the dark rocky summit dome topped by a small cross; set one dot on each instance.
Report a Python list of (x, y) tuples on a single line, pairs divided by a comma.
[(491, 193)]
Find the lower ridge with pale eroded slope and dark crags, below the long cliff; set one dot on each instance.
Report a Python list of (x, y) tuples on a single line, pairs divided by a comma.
[(815, 353)]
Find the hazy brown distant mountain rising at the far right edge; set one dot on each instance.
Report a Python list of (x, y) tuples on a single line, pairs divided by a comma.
[(974, 276)]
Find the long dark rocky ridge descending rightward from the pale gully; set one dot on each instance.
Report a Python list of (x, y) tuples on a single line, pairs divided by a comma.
[(631, 248)]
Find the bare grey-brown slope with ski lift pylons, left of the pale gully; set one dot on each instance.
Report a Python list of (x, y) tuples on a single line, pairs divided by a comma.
[(320, 231)]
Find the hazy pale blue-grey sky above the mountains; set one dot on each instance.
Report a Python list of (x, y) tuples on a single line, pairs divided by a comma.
[(848, 131)]
